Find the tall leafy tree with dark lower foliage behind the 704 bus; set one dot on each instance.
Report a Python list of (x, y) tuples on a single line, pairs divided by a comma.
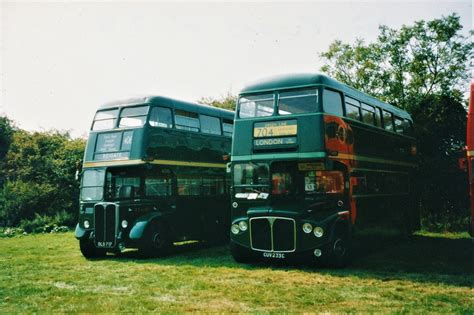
[(422, 68)]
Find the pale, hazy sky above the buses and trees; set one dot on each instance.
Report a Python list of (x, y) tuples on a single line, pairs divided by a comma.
[(59, 61)]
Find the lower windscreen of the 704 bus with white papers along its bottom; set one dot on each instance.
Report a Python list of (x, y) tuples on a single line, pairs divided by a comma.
[(251, 181)]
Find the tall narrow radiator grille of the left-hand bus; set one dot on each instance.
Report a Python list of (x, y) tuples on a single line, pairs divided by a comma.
[(105, 223)]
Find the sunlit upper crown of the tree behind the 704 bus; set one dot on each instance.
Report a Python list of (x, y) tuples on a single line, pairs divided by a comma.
[(406, 65)]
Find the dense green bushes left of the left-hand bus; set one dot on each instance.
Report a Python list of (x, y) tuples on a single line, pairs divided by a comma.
[(39, 171)]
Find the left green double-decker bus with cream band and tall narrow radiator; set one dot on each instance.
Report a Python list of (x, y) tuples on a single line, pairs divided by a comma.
[(153, 175)]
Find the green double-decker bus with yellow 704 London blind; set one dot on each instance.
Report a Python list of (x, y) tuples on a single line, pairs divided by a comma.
[(315, 162)]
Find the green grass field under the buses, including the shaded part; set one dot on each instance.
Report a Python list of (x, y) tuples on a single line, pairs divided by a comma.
[(46, 273)]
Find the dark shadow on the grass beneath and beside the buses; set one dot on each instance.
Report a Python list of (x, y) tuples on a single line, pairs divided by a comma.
[(424, 259)]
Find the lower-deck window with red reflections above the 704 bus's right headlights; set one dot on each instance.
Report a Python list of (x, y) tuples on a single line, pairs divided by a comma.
[(331, 182)]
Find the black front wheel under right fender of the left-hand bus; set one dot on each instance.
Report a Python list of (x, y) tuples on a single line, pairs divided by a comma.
[(156, 241)]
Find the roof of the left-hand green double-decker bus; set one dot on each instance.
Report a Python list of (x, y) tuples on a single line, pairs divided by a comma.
[(173, 103)]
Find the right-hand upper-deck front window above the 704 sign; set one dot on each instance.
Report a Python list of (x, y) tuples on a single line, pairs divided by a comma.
[(298, 102)]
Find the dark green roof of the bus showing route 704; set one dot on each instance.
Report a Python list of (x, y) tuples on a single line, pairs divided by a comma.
[(300, 80)]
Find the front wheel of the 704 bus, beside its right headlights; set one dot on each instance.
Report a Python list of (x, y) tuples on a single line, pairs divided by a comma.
[(339, 250)]
